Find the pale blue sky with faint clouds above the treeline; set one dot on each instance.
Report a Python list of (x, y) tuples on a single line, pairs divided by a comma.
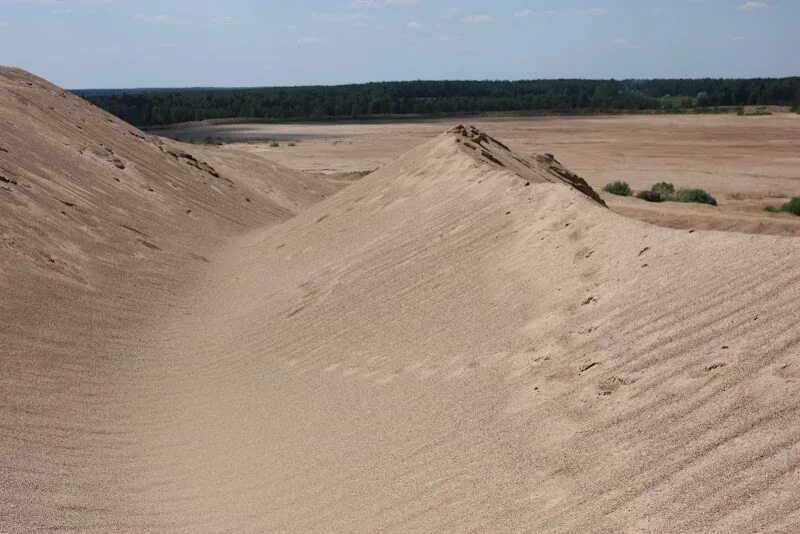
[(245, 43)]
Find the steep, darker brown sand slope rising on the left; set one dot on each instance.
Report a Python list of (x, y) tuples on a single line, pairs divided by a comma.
[(101, 229)]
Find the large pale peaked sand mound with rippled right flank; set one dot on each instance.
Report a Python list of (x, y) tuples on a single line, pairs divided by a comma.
[(542, 364)]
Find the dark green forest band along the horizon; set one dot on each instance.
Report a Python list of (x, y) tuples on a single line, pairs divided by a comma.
[(150, 107)]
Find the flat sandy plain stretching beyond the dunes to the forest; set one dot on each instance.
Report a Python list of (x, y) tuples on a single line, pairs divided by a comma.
[(747, 163)]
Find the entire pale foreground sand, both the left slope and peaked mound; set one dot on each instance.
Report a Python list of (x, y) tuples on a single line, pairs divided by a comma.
[(460, 341)]
